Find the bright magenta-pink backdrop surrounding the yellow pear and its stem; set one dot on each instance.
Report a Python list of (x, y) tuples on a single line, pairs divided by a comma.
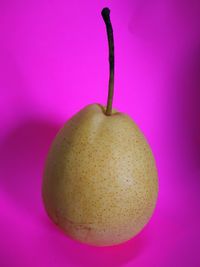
[(54, 61)]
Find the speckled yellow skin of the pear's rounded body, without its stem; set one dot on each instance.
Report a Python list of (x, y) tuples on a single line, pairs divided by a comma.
[(100, 182)]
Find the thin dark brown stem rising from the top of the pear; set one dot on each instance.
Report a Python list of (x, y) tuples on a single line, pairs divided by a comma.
[(106, 17)]
